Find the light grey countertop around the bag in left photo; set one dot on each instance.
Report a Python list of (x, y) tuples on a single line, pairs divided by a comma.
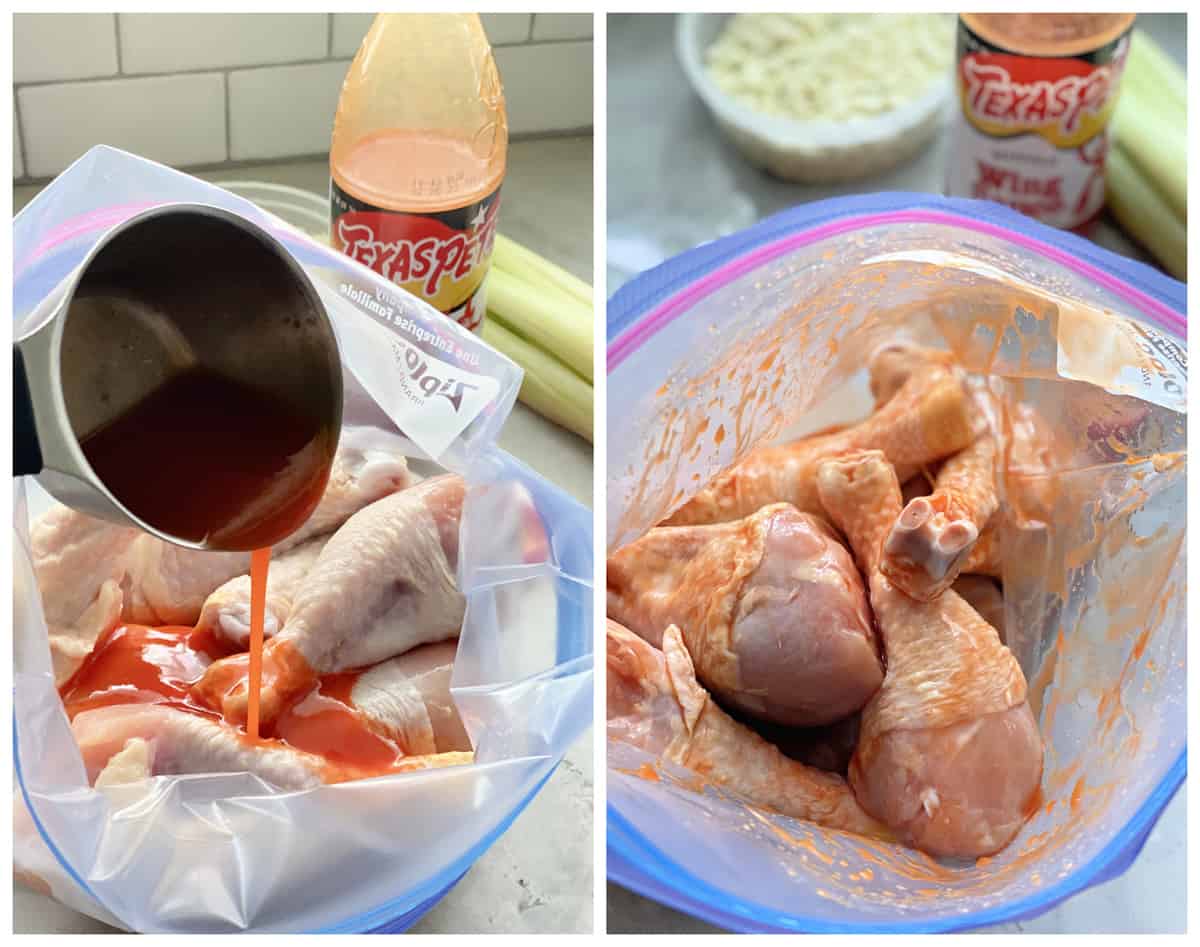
[(532, 880)]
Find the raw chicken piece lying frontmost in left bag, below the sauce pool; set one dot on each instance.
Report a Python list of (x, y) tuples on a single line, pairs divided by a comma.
[(128, 742)]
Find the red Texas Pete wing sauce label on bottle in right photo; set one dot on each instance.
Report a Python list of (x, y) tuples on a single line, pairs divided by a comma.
[(1033, 130)]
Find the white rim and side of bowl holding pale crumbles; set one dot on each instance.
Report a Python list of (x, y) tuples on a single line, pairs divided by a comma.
[(811, 152)]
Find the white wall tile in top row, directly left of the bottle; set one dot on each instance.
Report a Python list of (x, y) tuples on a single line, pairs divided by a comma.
[(175, 43)]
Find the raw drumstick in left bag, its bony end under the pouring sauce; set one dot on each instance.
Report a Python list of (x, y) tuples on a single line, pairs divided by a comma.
[(383, 585)]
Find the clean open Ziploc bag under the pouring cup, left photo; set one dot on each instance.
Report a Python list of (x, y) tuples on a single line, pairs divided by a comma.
[(227, 853)]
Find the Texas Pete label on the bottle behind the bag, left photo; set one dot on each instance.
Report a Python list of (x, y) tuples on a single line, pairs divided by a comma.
[(439, 257)]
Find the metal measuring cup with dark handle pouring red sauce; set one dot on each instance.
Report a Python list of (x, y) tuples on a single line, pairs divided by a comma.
[(173, 290)]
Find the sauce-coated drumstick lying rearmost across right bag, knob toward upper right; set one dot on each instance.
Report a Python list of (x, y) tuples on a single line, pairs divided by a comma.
[(928, 419)]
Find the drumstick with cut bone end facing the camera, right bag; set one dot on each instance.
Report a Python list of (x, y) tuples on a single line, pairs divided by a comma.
[(933, 537)]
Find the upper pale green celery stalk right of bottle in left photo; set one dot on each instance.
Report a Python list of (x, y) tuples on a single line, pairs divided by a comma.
[(547, 317)]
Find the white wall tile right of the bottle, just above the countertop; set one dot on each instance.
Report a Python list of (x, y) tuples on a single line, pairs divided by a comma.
[(537, 103)]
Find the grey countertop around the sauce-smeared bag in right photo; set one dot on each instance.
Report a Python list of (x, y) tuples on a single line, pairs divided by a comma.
[(675, 183)]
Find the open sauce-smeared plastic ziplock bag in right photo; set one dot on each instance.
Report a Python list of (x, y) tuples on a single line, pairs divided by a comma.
[(731, 345)]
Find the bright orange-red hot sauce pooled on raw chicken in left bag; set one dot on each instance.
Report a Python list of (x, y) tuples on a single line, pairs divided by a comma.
[(139, 664)]
